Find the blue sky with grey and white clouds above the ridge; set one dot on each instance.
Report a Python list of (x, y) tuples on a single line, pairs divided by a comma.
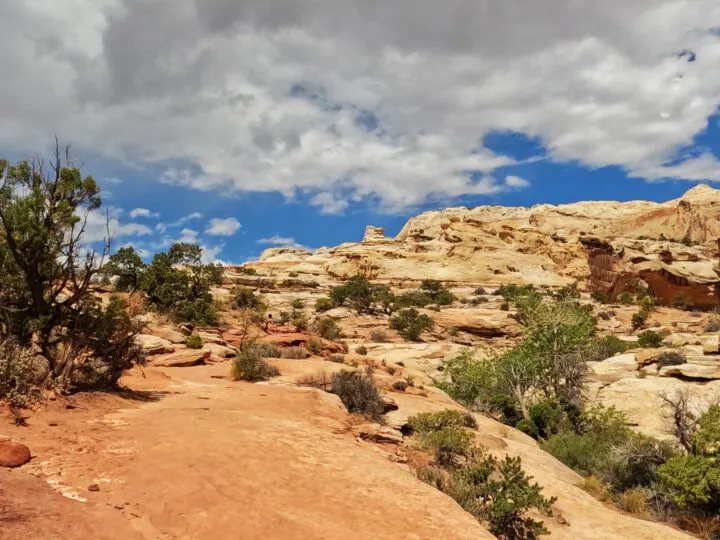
[(242, 125)]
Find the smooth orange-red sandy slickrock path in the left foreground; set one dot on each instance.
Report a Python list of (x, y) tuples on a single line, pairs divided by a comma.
[(193, 456)]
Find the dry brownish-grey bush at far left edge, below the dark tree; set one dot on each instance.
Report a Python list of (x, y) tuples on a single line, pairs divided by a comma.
[(19, 374)]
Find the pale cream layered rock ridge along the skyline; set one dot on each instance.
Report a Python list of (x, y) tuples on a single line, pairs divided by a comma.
[(607, 246)]
